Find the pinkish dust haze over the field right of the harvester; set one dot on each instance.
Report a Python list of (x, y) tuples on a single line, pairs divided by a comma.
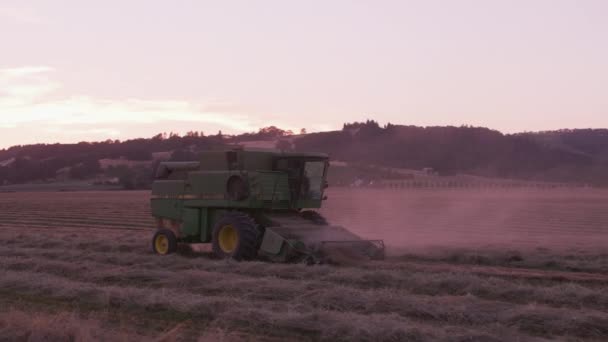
[(408, 219)]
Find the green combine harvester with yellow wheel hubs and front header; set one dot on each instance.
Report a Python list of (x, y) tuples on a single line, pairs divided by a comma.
[(252, 204)]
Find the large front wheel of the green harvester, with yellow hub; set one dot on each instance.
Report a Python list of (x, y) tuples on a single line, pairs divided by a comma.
[(235, 236)]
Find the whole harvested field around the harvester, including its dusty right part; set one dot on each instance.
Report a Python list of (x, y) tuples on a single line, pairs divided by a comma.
[(463, 265)]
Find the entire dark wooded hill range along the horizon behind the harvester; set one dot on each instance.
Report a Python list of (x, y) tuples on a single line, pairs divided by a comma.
[(577, 156)]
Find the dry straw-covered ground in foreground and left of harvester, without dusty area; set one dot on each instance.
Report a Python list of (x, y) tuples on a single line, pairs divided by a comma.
[(59, 281)]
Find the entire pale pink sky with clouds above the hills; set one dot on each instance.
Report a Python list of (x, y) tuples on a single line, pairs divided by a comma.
[(83, 70)]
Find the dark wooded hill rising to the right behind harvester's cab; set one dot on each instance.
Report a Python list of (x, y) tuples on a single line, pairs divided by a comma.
[(579, 156)]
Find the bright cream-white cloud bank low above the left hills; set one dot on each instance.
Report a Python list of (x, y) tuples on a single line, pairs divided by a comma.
[(31, 99)]
